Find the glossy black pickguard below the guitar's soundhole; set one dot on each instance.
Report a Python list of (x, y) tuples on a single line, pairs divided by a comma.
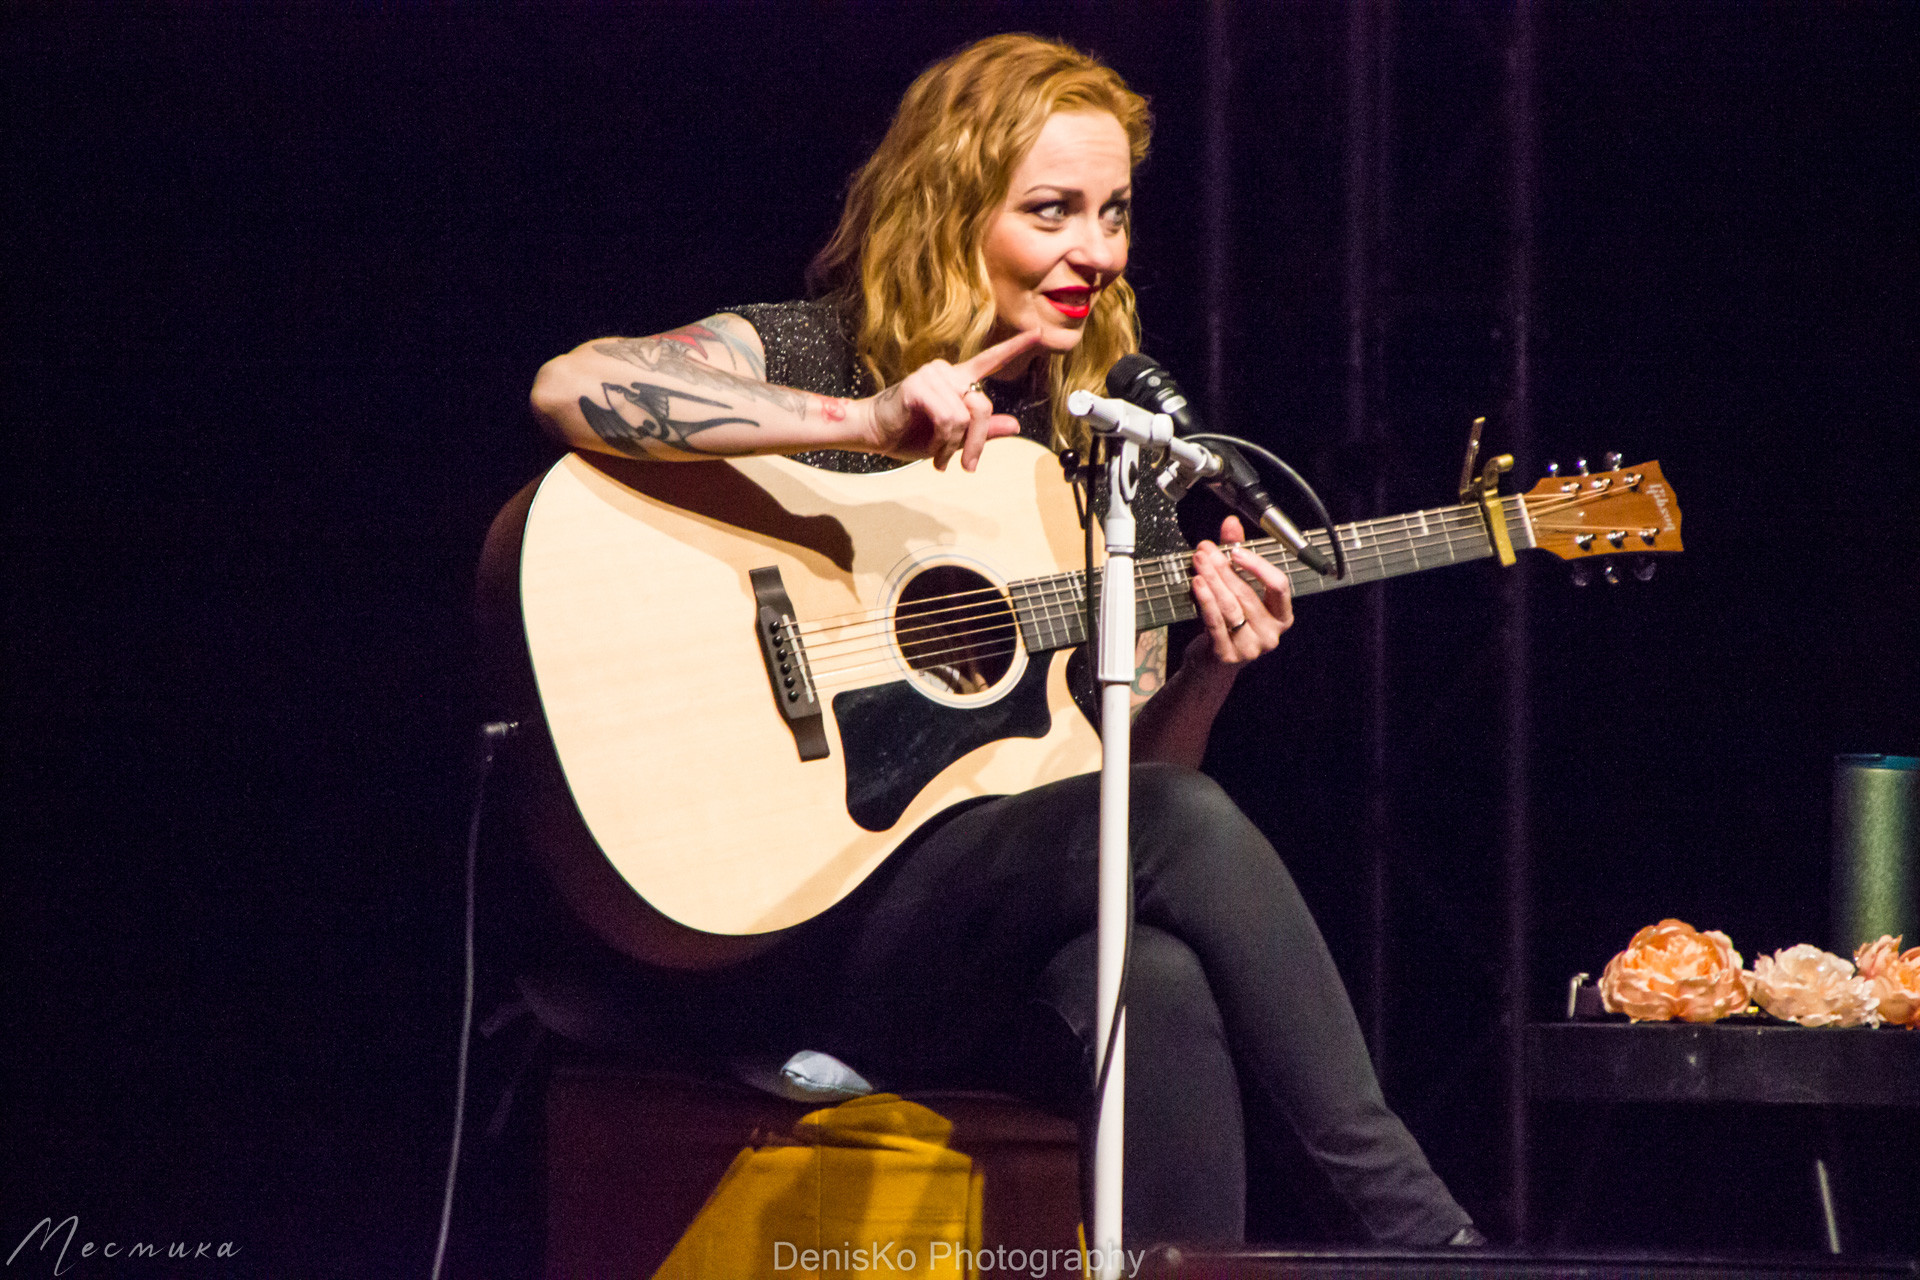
[(898, 740)]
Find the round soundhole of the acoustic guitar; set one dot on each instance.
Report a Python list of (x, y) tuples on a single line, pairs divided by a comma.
[(955, 630)]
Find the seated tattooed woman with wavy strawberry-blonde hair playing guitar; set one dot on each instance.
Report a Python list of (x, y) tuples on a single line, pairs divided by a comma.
[(976, 279)]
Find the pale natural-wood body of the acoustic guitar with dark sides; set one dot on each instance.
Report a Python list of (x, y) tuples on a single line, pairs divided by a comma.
[(677, 813)]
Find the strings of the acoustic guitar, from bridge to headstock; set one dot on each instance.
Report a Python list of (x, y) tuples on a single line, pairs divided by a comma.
[(934, 621)]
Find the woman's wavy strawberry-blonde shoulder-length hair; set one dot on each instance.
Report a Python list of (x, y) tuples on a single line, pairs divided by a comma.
[(907, 266)]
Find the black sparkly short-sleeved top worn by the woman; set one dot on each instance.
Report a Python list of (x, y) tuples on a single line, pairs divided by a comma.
[(809, 348)]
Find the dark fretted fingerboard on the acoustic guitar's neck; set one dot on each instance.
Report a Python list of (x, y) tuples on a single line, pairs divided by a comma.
[(1053, 613)]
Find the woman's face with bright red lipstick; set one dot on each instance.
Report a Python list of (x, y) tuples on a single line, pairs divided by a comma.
[(1063, 233)]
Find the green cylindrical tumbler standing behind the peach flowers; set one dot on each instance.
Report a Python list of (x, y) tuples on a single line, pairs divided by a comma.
[(1877, 849)]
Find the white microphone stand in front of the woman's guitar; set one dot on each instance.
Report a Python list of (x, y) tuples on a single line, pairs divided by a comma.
[(1115, 671)]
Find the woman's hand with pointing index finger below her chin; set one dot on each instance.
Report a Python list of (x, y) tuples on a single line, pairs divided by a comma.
[(938, 410)]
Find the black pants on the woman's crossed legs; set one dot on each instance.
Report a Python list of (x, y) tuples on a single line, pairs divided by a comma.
[(953, 962)]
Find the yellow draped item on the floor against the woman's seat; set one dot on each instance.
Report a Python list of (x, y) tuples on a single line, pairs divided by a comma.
[(867, 1189)]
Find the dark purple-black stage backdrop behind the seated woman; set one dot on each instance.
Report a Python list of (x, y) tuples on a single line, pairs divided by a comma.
[(277, 285)]
